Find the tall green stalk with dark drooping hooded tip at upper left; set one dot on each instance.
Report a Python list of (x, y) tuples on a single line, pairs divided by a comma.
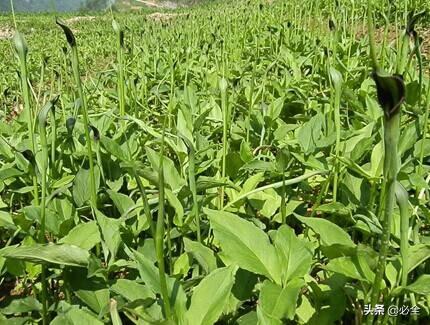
[(75, 67)]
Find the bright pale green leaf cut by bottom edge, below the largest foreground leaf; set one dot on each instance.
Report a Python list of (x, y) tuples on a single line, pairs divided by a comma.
[(210, 296)]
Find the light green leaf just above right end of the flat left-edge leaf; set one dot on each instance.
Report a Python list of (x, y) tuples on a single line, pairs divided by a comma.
[(85, 235)]
